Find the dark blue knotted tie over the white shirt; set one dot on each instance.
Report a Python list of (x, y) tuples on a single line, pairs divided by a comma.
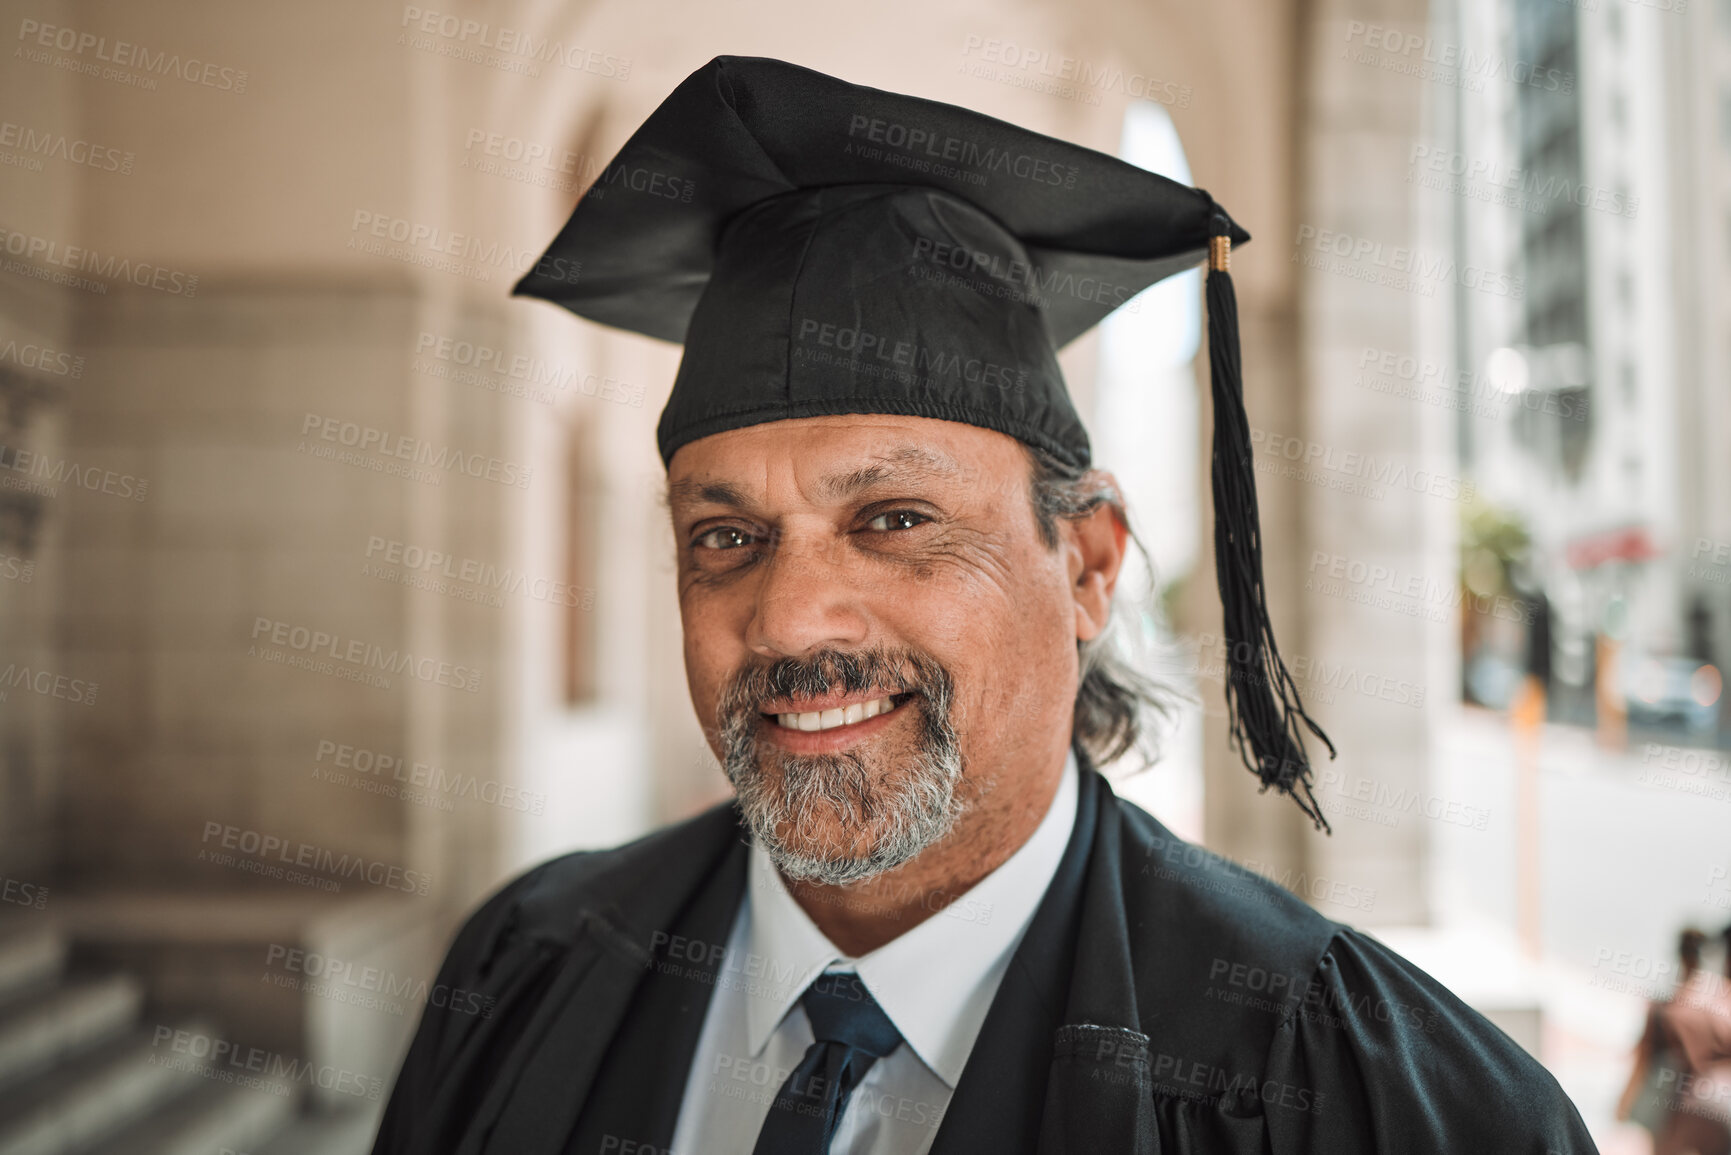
[(853, 1035)]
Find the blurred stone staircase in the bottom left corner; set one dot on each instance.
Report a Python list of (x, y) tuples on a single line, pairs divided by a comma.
[(84, 1073)]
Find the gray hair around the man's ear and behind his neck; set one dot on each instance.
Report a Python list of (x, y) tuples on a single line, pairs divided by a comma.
[(1116, 700)]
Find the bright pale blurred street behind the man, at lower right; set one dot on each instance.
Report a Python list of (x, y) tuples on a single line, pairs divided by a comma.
[(1626, 860)]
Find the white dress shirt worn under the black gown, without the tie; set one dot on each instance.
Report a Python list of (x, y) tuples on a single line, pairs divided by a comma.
[(936, 983)]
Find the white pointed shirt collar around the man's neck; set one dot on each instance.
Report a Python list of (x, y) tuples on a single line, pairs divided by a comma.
[(939, 1009)]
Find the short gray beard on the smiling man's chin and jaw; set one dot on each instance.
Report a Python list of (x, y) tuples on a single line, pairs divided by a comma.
[(910, 811)]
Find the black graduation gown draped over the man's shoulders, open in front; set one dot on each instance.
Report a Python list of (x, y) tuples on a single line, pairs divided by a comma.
[(1162, 1002)]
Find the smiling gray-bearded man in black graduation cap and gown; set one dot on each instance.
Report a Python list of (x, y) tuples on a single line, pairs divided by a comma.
[(925, 924)]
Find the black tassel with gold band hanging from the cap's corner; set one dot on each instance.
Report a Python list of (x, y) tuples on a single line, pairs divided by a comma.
[(1261, 697)]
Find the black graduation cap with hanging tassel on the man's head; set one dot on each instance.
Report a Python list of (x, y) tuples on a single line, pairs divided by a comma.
[(827, 248)]
